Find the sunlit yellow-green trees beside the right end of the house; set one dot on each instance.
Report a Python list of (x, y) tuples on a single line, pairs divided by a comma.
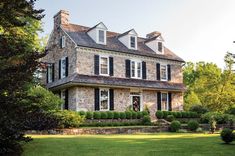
[(209, 85)]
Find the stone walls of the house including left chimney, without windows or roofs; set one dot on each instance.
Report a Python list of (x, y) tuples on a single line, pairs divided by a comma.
[(81, 61)]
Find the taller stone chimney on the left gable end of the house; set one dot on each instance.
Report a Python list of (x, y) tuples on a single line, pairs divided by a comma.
[(62, 17)]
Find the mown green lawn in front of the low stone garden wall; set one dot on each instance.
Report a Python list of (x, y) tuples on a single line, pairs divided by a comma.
[(161, 144)]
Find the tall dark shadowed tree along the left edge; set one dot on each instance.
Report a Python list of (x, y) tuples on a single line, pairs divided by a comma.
[(19, 54)]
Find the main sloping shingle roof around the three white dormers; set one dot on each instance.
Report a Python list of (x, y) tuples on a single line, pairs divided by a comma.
[(79, 34)]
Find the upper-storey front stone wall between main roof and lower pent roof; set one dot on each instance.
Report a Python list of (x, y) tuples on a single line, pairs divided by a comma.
[(85, 64)]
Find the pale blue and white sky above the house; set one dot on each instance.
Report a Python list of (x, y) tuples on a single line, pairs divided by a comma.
[(196, 30)]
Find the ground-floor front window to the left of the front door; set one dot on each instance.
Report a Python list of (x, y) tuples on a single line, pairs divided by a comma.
[(104, 99)]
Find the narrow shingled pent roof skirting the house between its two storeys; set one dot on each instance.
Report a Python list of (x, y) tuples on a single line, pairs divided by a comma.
[(118, 82)]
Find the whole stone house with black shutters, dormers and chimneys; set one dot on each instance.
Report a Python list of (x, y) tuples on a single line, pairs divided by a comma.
[(94, 69)]
